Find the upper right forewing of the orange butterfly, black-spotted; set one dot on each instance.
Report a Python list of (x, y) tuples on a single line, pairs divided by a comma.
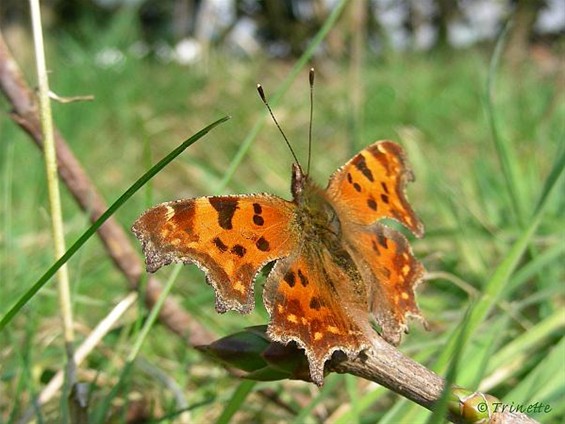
[(371, 186)]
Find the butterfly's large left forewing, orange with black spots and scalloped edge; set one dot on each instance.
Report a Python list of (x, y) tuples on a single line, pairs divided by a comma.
[(229, 237)]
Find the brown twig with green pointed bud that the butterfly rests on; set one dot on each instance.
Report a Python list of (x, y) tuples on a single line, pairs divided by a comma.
[(252, 352)]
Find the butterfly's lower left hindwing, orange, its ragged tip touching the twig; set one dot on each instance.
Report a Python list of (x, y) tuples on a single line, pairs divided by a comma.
[(308, 303)]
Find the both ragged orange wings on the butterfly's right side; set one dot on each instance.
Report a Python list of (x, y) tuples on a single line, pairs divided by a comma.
[(366, 189)]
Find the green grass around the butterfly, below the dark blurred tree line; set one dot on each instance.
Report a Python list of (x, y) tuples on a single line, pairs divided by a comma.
[(480, 230)]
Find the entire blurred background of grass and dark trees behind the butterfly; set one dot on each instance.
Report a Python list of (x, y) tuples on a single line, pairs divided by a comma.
[(414, 72)]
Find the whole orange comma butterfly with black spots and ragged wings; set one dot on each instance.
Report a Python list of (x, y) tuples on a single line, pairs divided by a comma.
[(337, 267)]
